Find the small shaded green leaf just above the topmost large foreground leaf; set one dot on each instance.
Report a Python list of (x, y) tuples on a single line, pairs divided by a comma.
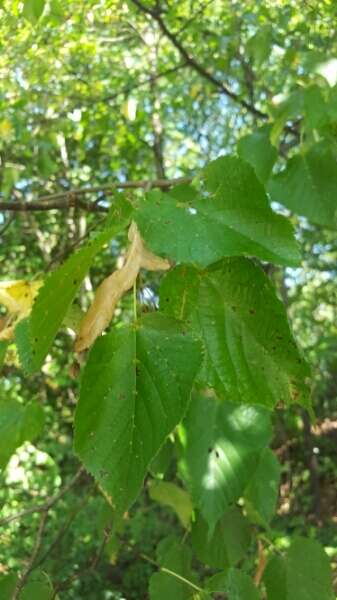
[(258, 151)]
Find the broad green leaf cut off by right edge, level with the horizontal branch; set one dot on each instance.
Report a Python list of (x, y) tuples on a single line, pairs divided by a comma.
[(307, 186)]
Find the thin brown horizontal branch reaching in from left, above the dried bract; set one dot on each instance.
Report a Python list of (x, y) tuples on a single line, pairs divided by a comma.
[(66, 200)]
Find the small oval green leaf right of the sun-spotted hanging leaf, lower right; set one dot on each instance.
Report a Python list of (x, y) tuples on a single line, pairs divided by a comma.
[(262, 492)]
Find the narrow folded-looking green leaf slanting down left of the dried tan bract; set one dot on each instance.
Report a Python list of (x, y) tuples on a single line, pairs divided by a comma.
[(35, 334)]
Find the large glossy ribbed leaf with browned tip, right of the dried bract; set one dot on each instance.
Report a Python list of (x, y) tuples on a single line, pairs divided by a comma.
[(250, 354)]
